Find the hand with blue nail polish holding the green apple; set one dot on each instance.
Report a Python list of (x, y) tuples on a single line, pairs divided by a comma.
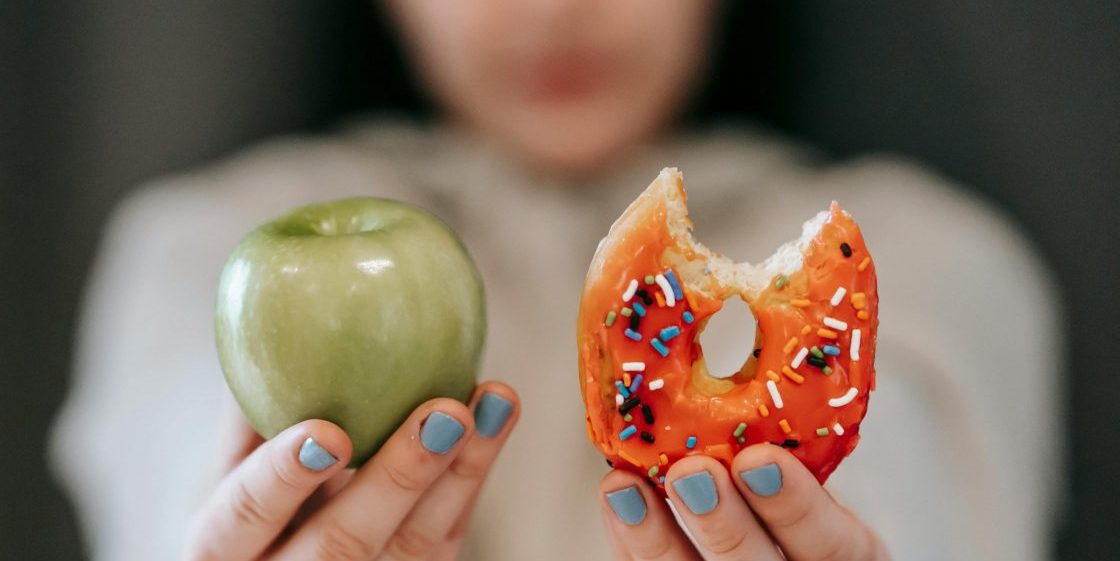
[(293, 498)]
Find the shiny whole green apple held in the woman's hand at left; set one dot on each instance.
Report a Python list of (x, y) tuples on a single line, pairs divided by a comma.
[(356, 312)]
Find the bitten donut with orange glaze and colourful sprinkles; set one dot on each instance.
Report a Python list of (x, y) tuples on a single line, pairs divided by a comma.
[(651, 291)]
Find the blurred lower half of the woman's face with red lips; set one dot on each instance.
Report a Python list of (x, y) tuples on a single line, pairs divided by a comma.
[(563, 85)]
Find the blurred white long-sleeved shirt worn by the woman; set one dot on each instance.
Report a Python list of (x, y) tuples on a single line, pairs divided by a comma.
[(959, 457)]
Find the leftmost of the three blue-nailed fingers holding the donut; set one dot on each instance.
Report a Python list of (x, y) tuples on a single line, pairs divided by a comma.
[(639, 519)]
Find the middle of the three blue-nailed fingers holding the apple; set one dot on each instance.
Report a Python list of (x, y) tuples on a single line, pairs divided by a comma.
[(360, 521)]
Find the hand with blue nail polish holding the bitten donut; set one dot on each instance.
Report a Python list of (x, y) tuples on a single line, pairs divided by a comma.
[(772, 509)]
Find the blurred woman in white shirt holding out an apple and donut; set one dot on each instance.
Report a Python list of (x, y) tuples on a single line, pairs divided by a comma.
[(555, 115)]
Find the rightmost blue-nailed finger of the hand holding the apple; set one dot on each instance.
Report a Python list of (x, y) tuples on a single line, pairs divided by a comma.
[(497, 410)]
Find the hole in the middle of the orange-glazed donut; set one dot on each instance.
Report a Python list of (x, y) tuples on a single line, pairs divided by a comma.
[(729, 339)]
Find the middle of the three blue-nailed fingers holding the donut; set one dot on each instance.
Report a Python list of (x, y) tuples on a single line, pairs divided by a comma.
[(721, 522)]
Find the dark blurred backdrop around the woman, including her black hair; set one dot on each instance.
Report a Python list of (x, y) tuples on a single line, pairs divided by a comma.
[(1018, 100)]
